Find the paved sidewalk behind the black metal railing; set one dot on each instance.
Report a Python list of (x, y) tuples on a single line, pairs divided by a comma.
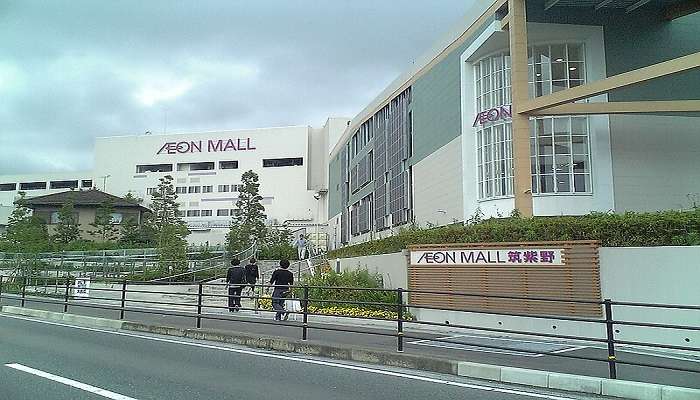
[(471, 350)]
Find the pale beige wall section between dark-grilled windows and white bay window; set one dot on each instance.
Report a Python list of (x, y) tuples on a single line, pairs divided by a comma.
[(437, 185)]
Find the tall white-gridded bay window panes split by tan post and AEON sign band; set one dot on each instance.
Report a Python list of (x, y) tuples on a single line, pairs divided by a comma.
[(559, 147)]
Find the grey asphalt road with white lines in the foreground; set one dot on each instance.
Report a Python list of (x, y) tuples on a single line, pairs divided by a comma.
[(40, 360)]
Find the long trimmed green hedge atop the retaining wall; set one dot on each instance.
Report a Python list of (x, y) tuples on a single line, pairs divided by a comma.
[(668, 228)]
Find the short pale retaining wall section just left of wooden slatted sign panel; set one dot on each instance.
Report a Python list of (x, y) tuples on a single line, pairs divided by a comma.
[(391, 266)]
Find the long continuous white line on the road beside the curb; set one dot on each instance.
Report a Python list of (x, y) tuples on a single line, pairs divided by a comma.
[(309, 361)]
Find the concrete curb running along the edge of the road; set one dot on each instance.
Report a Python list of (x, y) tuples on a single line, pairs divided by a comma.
[(527, 377)]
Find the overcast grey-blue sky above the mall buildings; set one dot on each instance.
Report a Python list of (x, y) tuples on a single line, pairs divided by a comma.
[(72, 70)]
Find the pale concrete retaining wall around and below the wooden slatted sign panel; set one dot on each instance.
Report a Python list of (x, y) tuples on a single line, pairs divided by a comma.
[(664, 275)]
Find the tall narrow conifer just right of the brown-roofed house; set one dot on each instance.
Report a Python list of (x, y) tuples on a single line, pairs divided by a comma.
[(168, 228)]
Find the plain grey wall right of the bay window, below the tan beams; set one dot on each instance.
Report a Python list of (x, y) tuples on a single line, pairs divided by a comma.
[(656, 160)]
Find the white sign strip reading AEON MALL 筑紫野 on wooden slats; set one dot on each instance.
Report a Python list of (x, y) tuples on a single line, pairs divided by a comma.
[(519, 256)]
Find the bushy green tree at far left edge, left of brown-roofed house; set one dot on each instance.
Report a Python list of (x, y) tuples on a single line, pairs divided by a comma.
[(25, 232)]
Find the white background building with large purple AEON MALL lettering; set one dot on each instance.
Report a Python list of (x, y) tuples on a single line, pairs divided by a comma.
[(206, 169)]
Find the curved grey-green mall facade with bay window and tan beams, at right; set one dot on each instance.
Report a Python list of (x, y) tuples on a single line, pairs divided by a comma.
[(437, 146)]
